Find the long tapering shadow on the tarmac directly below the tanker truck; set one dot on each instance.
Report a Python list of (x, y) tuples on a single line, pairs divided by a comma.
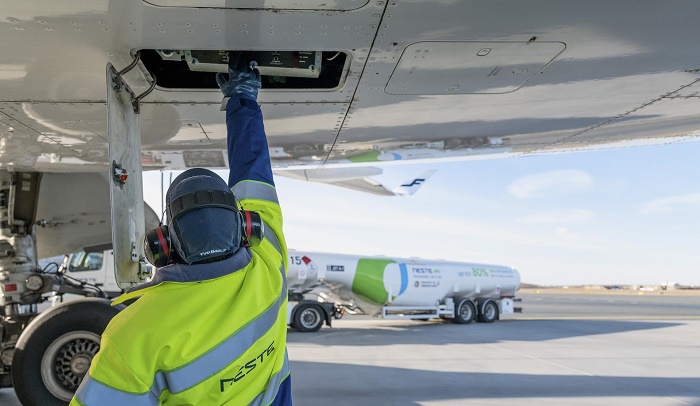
[(443, 333)]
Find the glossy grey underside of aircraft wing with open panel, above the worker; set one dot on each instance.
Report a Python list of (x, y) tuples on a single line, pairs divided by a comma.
[(350, 83)]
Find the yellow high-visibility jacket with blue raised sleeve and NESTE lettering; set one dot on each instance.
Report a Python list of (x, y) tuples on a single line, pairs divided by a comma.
[(207, 334)]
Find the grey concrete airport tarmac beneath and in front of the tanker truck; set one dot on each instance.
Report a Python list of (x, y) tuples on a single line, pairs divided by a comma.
[(564, 349)]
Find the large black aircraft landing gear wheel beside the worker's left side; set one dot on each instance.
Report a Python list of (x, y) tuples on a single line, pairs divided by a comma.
[(54, 352)]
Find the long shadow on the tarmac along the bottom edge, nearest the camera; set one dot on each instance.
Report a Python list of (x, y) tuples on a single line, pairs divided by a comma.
[(316, 383)]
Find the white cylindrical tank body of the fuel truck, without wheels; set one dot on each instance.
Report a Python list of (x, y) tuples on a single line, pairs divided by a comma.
[(388, 281)]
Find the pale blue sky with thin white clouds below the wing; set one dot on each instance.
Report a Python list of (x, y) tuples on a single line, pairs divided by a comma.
[(615, 216)]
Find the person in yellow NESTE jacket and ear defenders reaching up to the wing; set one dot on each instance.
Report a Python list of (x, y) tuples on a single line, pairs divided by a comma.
[(210, 328)]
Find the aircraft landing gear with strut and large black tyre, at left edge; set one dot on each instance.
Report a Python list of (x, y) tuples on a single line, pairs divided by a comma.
[(45, 357)]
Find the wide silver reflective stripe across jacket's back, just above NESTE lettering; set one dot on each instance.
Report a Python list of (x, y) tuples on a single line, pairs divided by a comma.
[(204, 367)]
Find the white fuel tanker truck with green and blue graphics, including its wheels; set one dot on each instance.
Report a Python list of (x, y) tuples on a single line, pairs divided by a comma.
[(323, 286)]
